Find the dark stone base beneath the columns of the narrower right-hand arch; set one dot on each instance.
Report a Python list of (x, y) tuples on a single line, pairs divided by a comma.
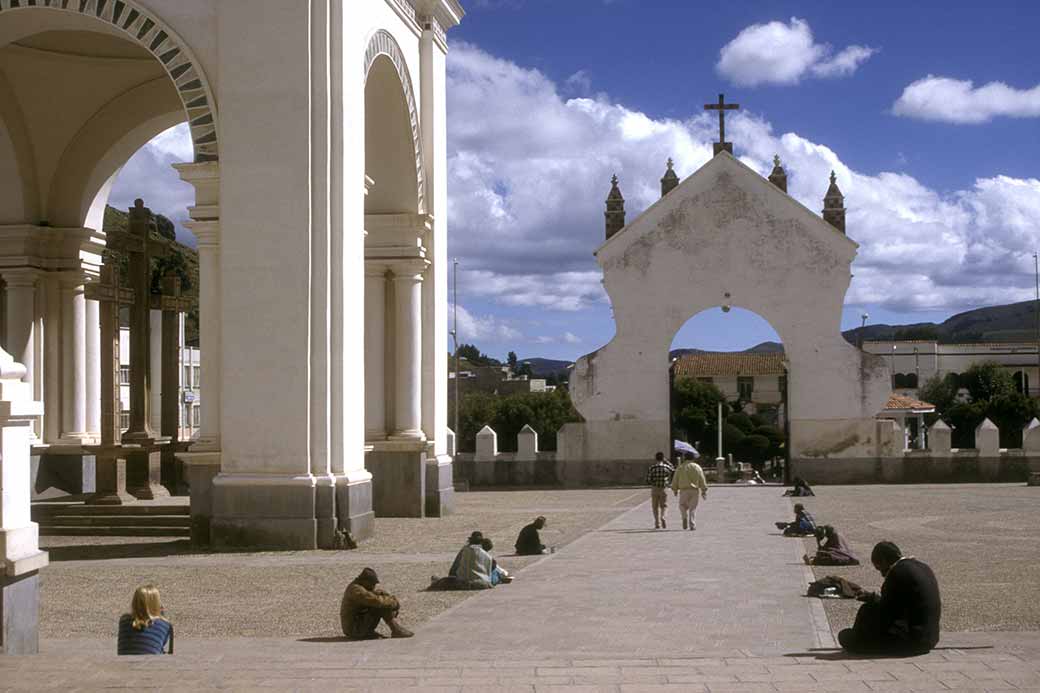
[(399, 470)]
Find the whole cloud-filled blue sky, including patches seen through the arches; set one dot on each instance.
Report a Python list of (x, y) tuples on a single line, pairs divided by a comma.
[(929, 113)]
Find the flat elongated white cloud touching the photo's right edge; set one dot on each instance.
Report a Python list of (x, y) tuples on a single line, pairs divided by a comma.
[(960, 101)]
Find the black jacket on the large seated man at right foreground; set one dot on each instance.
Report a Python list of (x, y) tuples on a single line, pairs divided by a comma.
[(911, 605)]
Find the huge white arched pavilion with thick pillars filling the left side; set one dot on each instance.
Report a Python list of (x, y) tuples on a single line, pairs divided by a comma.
[(285, 137)]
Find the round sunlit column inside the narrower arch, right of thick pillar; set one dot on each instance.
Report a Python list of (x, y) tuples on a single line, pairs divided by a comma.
[(408, 351)]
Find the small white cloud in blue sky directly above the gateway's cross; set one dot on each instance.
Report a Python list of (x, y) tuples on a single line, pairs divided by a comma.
[(778, 54)]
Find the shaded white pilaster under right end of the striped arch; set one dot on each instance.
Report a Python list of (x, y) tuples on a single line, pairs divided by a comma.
[(205, 225)]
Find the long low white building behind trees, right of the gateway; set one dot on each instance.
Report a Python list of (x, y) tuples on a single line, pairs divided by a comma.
[(915, 363)]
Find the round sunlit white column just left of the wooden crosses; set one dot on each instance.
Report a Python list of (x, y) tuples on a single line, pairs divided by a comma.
[(73, 360)]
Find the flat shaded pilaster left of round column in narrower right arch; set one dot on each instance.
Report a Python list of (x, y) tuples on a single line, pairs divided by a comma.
[(376, 299)]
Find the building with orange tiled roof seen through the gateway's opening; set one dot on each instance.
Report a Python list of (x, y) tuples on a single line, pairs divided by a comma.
[(758, 380)]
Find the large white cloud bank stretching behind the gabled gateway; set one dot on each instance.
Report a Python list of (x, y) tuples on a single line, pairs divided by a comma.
[(527, 198)]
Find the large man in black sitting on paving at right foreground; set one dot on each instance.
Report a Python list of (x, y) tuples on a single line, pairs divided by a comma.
[(905, 620)]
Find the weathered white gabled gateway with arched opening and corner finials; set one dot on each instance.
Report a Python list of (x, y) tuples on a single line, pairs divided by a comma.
[(725, 237)]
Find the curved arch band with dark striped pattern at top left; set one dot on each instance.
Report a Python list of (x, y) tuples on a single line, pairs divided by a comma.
[(144, 29)]
